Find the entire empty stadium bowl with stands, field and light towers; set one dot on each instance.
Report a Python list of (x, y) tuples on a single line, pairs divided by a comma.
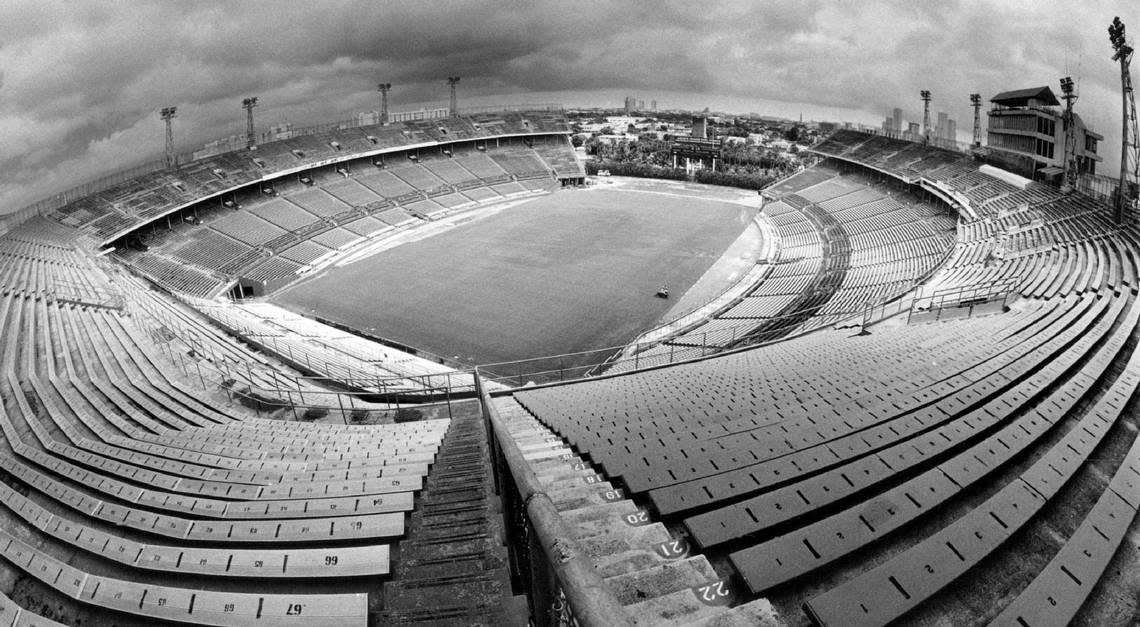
[(425, 370)]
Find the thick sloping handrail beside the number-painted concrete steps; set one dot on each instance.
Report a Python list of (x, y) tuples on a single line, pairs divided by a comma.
[(592, 604)]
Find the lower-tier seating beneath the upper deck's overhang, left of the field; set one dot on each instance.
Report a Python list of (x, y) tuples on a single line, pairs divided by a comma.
[(270, 234)]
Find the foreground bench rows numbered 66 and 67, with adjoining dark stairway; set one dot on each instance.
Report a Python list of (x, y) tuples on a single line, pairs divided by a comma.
[(131, 492)]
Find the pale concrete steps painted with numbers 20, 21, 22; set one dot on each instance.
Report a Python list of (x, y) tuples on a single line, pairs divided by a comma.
[(648, 571)]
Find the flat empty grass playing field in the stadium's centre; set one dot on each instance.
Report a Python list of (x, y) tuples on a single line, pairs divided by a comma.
[(572, 272)]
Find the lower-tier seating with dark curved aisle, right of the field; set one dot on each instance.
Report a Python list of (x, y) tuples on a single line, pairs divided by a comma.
[(844, 243)]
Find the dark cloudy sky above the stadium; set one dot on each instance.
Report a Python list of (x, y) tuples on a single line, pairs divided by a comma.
[(82, 83)]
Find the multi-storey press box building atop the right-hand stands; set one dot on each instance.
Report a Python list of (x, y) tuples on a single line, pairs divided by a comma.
[(1027, 135)]
